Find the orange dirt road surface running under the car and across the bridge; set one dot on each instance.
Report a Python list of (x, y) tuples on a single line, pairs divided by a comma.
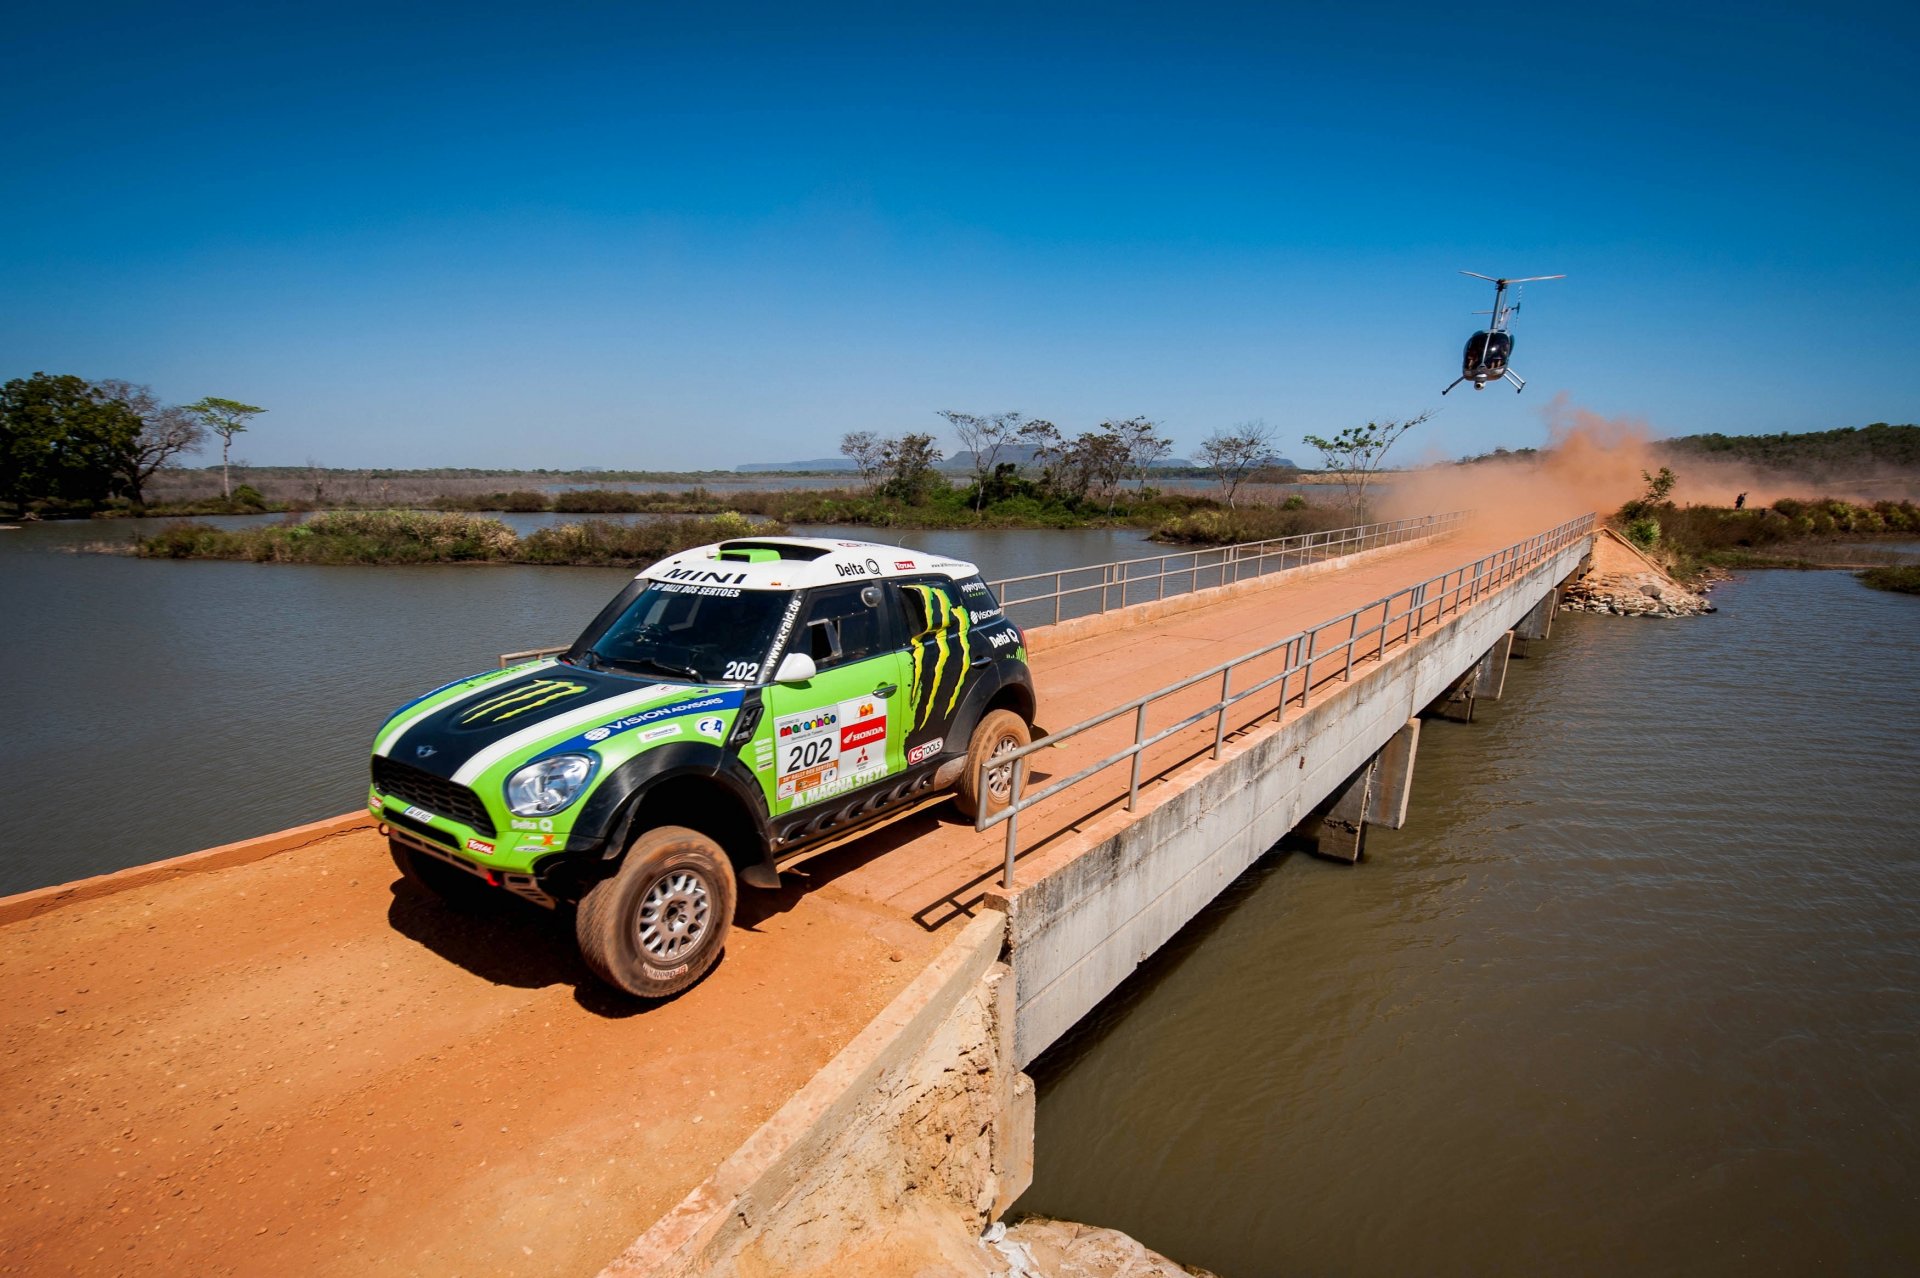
[(287, 1066)]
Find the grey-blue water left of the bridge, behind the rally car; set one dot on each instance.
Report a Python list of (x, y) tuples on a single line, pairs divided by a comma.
[(160, 707)]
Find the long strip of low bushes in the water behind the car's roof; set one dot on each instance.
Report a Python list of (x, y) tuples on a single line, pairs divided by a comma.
[(443, 538)]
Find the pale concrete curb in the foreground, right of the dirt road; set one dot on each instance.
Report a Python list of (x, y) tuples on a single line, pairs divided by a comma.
[(732, 1206)]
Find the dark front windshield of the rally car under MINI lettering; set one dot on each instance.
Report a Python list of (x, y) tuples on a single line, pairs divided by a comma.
[(704, 634)]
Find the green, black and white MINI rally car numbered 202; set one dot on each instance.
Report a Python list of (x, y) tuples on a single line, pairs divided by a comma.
[(734, 707)]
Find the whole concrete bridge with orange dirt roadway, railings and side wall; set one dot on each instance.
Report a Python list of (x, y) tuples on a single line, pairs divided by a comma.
[(356, 1081)]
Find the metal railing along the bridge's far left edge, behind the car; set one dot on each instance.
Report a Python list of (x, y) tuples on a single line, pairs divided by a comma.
[(1143, 580)]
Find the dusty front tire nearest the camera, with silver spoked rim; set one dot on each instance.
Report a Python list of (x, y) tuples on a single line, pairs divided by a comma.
[(661, 922)]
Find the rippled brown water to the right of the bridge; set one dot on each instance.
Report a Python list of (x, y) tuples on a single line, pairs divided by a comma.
[(1637, 991)]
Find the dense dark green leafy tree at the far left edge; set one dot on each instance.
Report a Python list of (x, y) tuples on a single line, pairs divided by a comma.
[(62, 440)]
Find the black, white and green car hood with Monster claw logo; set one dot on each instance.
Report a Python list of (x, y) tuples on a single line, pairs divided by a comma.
[(466, 730)]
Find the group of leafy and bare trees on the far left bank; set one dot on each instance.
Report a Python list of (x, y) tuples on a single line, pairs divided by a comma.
[(72, 444)]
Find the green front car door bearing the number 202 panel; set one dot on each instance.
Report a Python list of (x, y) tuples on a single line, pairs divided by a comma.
[(846, 728)]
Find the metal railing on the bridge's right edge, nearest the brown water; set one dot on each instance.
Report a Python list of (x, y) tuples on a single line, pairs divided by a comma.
[(1372, 632)]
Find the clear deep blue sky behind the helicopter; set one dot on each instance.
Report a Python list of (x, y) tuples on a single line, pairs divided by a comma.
[(633, 235)]
